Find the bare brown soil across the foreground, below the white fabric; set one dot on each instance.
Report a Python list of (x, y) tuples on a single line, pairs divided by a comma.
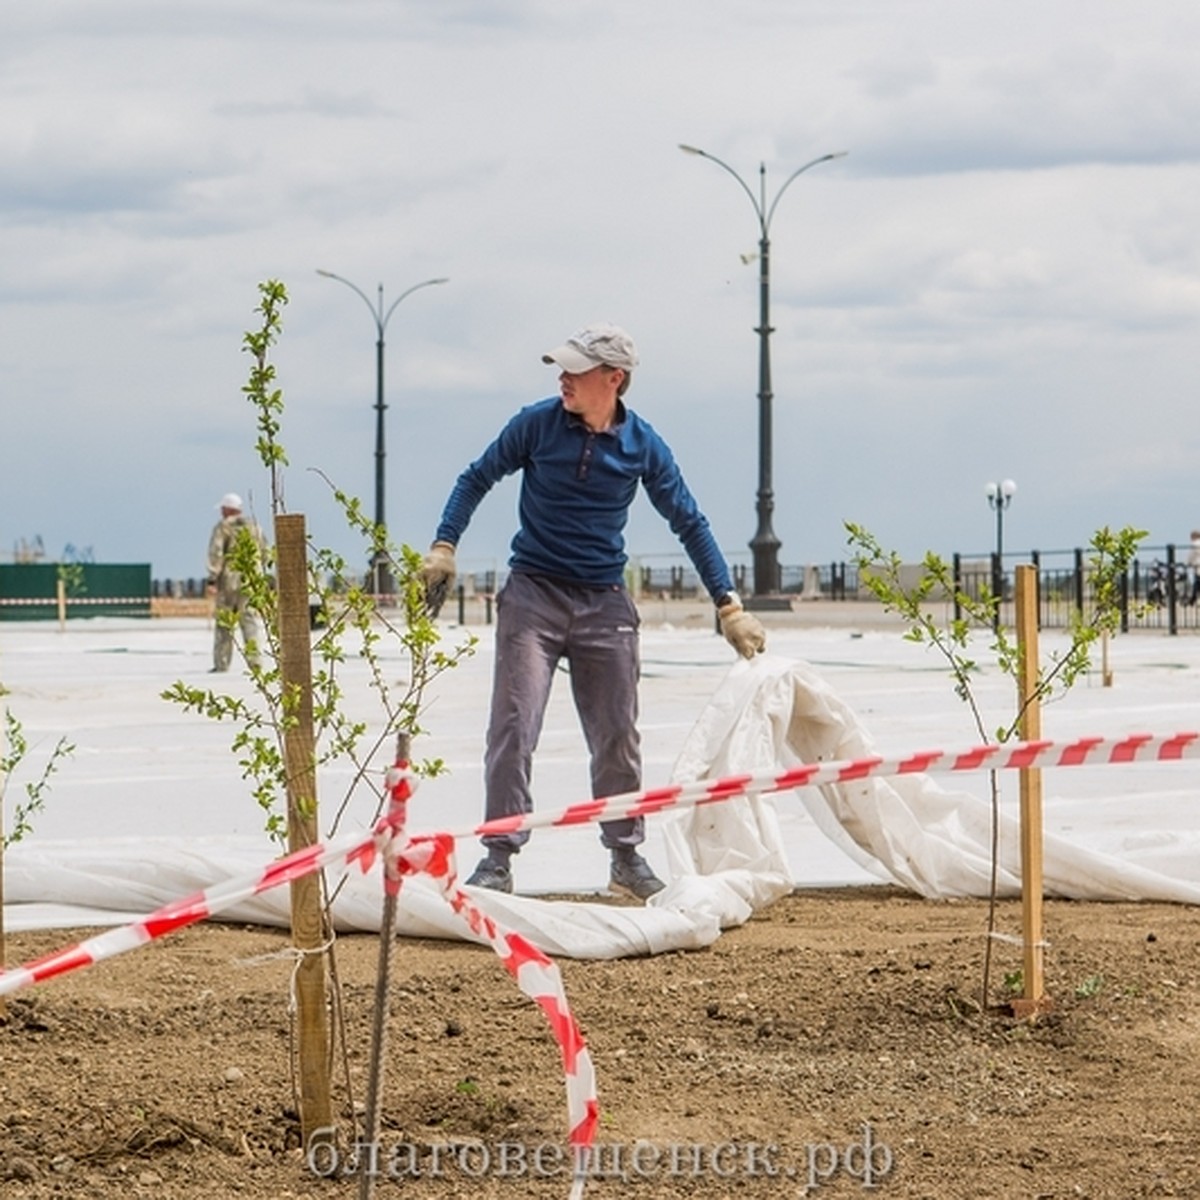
[(767, 1066)]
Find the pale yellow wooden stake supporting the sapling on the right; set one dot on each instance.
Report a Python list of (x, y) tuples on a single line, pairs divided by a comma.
[(1034, 999)]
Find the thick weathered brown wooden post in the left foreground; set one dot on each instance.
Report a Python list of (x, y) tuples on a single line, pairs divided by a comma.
[(299, 753)]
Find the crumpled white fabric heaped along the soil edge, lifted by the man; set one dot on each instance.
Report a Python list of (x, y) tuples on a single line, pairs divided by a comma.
[(724, 861)]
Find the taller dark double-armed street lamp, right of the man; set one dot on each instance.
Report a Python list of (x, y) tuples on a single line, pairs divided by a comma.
[(765, 545)]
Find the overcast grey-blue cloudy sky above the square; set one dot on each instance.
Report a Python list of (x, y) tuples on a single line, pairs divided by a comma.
[(1003, 278)]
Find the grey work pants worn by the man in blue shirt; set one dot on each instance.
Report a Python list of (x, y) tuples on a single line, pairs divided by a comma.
[(541, 622)]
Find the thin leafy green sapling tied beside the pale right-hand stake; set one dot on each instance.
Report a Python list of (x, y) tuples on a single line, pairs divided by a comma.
[(881, 573)]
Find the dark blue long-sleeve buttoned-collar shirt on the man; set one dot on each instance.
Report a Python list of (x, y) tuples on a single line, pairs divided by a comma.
[(577, 490)]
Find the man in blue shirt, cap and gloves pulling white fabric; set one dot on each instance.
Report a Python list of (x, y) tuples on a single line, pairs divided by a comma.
[(583, 457)]
